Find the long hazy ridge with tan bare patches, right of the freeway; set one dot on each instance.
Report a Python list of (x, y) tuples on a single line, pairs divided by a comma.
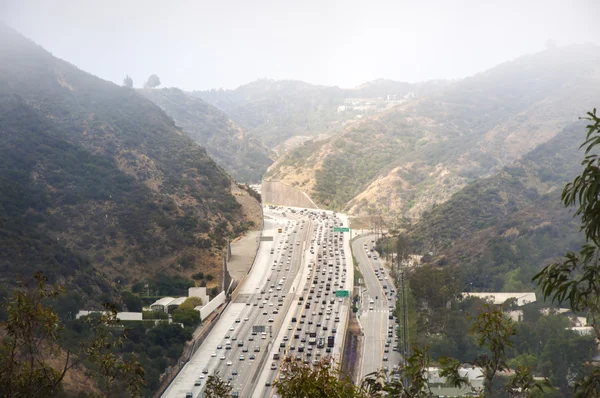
[(407, 159)]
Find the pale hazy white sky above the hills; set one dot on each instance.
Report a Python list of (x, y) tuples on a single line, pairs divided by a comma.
[(200, 44)]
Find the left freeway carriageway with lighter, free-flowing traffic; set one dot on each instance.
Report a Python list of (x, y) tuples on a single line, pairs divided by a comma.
[(207, 359)]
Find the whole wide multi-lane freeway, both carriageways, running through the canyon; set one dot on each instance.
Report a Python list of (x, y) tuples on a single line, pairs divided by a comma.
[(283, 299)]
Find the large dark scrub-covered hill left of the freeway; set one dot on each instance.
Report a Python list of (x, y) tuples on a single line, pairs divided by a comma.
[(98, 185)]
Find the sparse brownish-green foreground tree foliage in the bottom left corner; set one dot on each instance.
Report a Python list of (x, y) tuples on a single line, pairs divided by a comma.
[(32, 334)]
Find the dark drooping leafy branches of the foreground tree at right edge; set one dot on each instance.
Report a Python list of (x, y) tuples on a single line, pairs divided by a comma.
[(575, 279)]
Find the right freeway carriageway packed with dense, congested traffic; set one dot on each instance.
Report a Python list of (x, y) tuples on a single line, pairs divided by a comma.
[(316, 315)]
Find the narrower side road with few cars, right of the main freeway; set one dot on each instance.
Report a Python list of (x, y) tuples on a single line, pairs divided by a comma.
[(378, 301)]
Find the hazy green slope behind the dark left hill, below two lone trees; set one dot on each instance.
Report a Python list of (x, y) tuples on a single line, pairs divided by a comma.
[(232, 148)]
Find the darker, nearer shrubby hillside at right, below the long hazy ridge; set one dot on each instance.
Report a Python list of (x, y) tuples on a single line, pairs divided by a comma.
[(501, 230)]
